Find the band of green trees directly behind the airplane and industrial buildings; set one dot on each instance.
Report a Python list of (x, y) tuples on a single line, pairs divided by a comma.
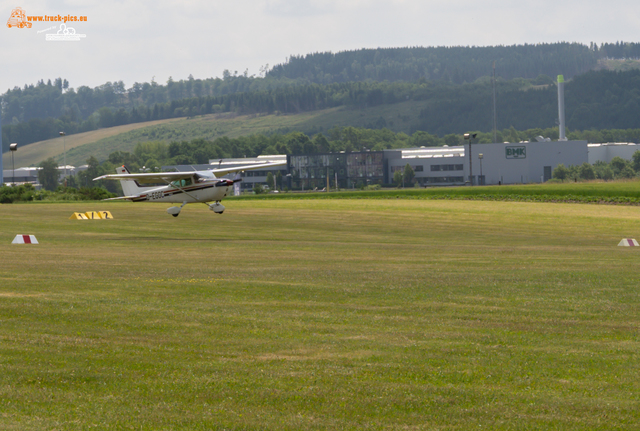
[(155, 154)]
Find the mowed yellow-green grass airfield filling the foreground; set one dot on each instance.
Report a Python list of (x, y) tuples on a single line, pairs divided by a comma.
[(320, 314)]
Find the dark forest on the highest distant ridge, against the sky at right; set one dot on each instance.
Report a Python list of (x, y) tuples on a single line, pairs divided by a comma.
[(457, 64)]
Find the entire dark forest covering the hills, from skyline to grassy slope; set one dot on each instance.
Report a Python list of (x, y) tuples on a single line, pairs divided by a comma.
[(452, 82)]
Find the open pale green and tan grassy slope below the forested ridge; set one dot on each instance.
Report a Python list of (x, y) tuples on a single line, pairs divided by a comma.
[(100, 143)]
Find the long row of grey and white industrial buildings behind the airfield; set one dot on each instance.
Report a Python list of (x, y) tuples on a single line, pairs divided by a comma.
[(487, 164)]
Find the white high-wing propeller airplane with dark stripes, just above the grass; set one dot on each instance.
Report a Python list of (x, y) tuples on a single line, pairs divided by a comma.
[(180, 187)]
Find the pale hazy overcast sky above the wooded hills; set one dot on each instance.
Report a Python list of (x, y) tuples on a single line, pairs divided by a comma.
[(137, 41)]
